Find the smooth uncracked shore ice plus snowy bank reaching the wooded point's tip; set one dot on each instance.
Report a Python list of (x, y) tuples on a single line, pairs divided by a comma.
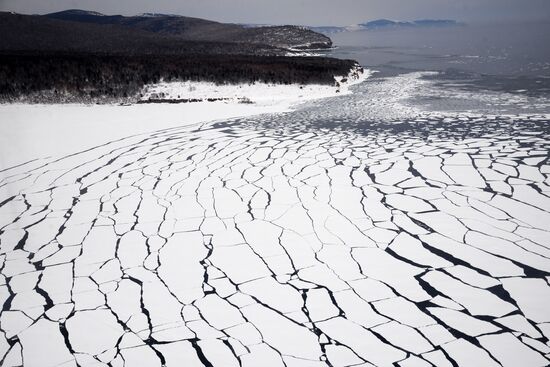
[(37, 131)]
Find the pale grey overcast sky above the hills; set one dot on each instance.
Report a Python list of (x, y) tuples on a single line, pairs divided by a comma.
[(310, 12)]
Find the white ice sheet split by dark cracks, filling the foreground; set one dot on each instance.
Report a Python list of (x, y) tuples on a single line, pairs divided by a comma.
[(358, 230)]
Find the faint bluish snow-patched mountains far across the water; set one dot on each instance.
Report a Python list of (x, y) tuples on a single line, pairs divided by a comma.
[(386, 24)]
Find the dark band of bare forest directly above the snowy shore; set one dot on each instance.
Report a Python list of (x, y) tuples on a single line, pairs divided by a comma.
[(60, 76)]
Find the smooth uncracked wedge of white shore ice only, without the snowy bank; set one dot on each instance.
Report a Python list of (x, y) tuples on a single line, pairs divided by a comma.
[(29, 132)]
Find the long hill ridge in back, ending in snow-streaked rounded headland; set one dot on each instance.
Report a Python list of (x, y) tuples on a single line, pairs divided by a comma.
[(196, 29)]
